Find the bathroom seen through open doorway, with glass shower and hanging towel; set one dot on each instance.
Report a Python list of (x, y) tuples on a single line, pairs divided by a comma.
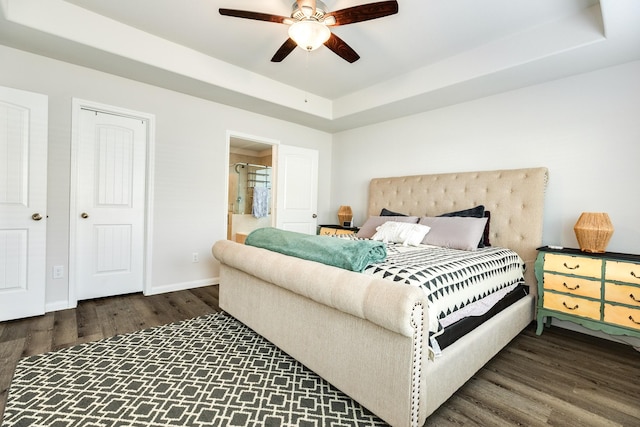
[(250, 192)]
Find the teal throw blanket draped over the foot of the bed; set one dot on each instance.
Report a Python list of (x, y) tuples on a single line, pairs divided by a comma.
[(354, 255)]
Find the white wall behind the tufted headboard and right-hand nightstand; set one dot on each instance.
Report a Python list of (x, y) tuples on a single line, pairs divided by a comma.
[(585, 129)]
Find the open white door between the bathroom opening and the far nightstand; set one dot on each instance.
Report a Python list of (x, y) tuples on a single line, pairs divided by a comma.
[(297, 189)]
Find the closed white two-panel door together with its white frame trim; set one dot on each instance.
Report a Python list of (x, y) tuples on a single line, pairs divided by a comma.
[(111, 200)]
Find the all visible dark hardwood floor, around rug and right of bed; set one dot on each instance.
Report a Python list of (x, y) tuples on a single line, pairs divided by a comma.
[(561, 378)]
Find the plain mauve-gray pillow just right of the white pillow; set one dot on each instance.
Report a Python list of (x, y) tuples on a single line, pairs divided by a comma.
[(455, 232)]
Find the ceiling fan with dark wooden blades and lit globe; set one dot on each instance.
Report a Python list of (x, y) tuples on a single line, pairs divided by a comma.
[(310, 21)]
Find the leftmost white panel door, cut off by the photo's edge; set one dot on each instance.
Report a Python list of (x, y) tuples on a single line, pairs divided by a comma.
[(23, 202)]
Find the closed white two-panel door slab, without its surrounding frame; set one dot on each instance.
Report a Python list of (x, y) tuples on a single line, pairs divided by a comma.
[(110, 205)]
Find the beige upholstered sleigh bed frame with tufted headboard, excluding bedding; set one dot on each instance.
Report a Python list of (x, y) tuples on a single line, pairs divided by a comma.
[(369, 336)]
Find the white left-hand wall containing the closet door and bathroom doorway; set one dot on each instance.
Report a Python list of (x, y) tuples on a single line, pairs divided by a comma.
[(190, 204)]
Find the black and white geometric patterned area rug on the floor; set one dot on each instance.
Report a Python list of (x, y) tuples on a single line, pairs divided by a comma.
[(206, 371)]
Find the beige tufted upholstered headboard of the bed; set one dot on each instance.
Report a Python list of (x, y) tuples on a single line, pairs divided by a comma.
[(515, 198)]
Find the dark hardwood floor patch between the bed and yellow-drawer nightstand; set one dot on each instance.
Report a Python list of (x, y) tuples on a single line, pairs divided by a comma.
[(561, 378)]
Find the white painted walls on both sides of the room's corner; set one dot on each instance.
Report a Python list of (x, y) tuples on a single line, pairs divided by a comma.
[(585, 129)]
